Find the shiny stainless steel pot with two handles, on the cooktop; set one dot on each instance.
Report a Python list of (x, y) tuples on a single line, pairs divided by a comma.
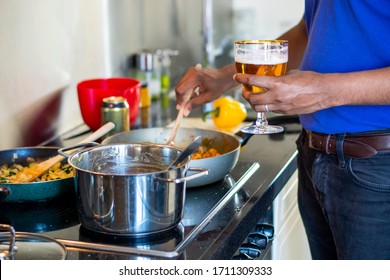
[(125, 189)]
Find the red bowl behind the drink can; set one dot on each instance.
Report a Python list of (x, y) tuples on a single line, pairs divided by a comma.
[(92, 92)]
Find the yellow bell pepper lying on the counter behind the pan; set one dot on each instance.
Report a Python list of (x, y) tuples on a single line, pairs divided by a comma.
[(227, 113)]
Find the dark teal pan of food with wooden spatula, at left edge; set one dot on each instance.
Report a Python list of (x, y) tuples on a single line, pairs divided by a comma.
[(36, 174)]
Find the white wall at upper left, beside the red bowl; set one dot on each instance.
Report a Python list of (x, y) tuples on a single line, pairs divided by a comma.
[(46, 46)]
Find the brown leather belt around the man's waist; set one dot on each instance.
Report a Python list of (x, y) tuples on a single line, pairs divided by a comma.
[(355, 146)]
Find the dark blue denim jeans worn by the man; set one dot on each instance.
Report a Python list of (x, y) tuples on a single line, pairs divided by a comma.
[(344, 203)]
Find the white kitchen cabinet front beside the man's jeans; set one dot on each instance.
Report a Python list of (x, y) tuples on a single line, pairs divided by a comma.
[(290, 242)]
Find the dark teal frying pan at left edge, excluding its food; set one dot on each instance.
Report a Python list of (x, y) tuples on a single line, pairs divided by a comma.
[(34, 191)]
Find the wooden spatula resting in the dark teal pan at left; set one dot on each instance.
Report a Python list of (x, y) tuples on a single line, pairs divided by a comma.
[(31, 173)]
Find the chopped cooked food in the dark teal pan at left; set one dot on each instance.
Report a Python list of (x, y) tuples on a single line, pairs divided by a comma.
[(57, 172)]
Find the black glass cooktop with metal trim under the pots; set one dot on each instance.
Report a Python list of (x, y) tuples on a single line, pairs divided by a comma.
[(58, 218)]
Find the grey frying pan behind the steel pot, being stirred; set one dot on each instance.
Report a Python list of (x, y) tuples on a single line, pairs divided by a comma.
[(227, 145)]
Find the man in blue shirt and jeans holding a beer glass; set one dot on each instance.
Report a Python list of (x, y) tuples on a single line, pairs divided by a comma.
[(341, 93)]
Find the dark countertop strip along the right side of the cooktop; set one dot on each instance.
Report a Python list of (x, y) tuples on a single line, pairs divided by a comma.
[(277, 158)]
